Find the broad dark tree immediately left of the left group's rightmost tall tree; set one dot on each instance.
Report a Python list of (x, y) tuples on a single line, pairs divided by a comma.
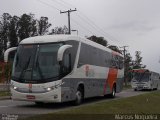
[(27, 26)]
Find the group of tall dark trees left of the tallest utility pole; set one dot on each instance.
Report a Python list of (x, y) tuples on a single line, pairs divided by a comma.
[(13, 29)]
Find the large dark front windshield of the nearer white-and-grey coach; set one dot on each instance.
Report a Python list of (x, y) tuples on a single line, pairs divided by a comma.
[(36, 63)]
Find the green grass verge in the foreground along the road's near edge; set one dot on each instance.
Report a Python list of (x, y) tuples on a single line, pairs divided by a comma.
[(148, 103)]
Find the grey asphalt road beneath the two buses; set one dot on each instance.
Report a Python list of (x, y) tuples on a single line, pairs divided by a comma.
[(29, 108)]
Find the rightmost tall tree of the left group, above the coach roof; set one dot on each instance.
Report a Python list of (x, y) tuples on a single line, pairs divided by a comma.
[(43, 25)]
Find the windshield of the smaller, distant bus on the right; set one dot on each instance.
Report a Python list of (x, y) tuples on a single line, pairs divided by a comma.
[(141, 77)]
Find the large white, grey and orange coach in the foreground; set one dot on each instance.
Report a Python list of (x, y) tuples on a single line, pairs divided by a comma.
[(61, 68)]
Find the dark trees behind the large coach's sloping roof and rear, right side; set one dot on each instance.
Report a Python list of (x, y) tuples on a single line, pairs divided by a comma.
[(129, 62)]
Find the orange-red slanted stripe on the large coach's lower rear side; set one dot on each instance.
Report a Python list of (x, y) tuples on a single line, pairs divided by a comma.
[(112, 76)]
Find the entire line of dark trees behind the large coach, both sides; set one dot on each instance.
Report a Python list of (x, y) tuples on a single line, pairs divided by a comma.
[(13, 29)]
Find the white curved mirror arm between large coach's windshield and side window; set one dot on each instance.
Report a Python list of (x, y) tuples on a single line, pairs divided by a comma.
[(61, 52)]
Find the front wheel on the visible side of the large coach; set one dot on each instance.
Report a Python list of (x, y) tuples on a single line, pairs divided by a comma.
[(79, 96)]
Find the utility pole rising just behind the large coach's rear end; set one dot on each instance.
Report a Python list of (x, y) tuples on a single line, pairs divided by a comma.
[(125, 70)]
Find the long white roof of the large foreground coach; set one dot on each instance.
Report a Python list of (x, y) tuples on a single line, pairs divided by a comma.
[(61, 38)]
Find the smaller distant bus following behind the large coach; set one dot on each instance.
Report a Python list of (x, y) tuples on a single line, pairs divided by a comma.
[(145, 79)]
